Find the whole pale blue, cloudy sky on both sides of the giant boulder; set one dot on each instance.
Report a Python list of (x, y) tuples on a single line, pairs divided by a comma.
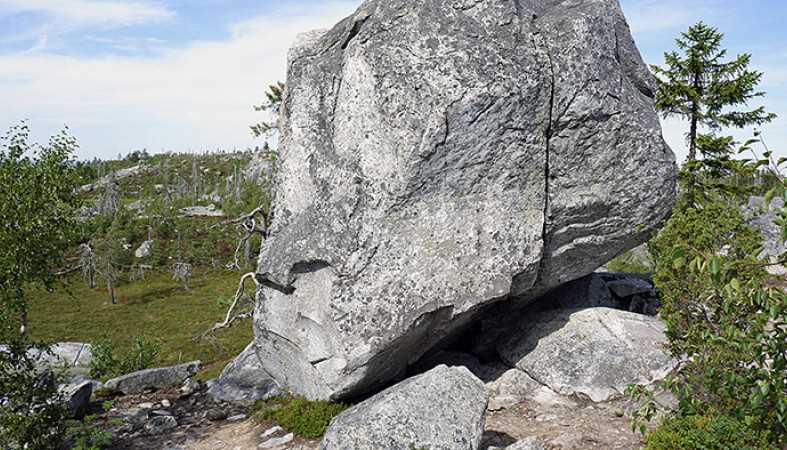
[(182, 75)]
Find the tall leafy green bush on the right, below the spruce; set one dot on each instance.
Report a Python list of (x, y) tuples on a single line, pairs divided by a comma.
[(723, 322)]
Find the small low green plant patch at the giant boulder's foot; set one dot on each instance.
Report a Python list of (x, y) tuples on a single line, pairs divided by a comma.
[(303, 417)]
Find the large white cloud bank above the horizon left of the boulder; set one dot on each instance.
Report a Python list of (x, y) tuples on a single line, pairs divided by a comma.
[(195, 98)]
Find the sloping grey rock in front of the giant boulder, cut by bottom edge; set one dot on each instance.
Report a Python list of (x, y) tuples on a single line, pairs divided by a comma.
[(442, 409)]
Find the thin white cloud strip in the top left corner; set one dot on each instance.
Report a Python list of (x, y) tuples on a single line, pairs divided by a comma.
[(104, 13)]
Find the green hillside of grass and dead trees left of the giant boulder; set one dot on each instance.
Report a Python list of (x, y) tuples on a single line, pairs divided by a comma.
[(150, 302)]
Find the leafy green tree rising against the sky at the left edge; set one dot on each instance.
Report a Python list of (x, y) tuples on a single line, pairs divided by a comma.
[(38, 222)]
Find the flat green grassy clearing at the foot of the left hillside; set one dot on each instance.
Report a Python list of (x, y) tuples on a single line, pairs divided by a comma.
[(157, 307)]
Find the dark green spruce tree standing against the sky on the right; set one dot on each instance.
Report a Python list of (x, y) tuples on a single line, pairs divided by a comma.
[(698, 85)]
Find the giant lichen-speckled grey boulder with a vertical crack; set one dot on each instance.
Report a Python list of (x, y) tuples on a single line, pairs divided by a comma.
[(438, 156)]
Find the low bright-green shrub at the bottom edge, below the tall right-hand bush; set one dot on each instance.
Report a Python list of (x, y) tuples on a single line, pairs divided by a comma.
[(704, 432)]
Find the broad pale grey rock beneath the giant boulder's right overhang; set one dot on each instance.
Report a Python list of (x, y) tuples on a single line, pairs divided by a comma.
[(596, 352)]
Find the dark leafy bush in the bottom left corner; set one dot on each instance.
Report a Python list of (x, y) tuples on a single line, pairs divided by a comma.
[(32, 411)]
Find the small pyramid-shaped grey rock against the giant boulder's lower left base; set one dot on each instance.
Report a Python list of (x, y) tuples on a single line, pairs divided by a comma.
[(244, 380)]
